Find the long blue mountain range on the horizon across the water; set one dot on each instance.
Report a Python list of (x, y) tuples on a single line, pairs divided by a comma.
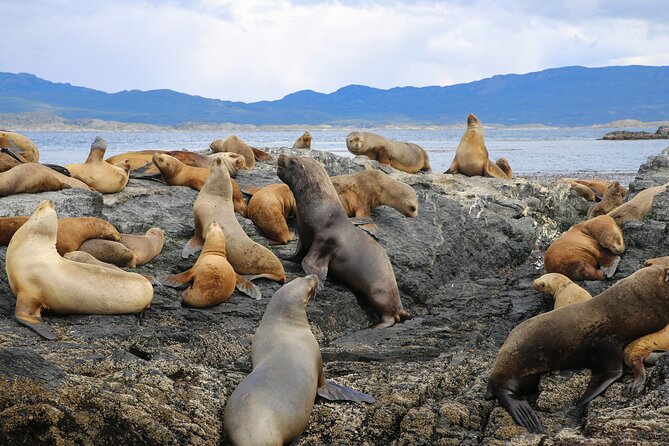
[(565, 96)]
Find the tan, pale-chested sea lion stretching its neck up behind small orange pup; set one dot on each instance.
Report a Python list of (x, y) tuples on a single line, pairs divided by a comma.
[(214, 203)]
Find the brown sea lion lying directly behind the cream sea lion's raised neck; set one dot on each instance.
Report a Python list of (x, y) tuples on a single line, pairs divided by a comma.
[(72, 232)]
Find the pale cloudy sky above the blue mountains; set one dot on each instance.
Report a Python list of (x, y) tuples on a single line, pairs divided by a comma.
[(252, 50)]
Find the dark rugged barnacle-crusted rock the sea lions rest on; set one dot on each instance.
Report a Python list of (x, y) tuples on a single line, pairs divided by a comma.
[(464, 267)]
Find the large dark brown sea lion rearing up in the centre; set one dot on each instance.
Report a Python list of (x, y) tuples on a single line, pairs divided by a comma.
[(329, 244)]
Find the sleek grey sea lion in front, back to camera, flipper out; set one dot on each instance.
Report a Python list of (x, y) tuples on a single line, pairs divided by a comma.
[(272, 405)]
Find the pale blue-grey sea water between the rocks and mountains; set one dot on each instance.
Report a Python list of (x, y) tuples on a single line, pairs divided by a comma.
[(531, 152)]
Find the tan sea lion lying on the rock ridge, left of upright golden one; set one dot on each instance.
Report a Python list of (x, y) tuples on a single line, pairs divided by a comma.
[(404, 156)]
